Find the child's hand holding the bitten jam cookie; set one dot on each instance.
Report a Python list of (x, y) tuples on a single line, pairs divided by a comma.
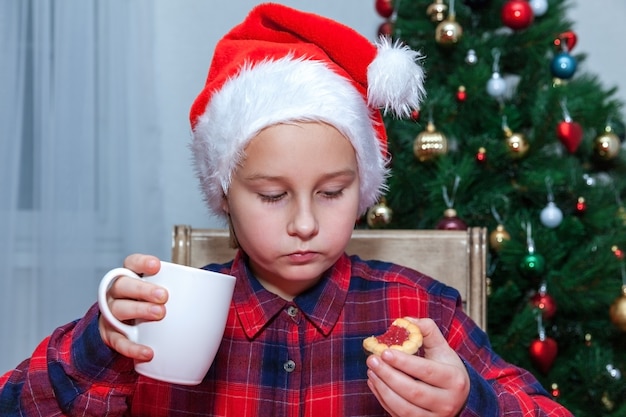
[(435, 384)]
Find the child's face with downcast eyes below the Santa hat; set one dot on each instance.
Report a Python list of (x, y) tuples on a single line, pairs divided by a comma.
[(293, 203)]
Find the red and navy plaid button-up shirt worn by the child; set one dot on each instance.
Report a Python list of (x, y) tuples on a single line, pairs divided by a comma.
[(277, 358)]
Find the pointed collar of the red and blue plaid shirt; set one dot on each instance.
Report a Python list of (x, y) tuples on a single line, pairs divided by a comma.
[(321, 305)]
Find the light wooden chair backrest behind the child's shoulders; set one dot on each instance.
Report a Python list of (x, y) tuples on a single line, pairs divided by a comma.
[(456, 258)]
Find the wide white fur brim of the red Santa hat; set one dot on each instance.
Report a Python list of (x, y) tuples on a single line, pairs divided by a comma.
[(277, 91)]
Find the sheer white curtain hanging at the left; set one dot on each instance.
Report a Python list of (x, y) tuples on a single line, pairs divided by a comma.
[(79, 152)]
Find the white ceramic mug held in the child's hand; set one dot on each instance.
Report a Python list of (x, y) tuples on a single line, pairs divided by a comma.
[(186, 340)]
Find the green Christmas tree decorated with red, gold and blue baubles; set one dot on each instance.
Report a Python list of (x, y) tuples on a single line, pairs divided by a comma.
[(515, 137)]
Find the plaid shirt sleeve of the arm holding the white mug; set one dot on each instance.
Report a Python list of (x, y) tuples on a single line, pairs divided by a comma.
[(72, 369)]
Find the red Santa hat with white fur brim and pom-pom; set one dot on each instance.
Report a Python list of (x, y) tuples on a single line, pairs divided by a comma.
[(283, 65)]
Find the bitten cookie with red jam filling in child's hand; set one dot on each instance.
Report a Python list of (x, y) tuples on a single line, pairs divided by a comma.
[(401, 335)]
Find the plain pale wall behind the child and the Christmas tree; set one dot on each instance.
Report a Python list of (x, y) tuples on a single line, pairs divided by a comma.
[(187, 31)]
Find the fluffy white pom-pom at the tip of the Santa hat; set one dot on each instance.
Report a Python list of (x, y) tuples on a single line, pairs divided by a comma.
[(395, 79)]
